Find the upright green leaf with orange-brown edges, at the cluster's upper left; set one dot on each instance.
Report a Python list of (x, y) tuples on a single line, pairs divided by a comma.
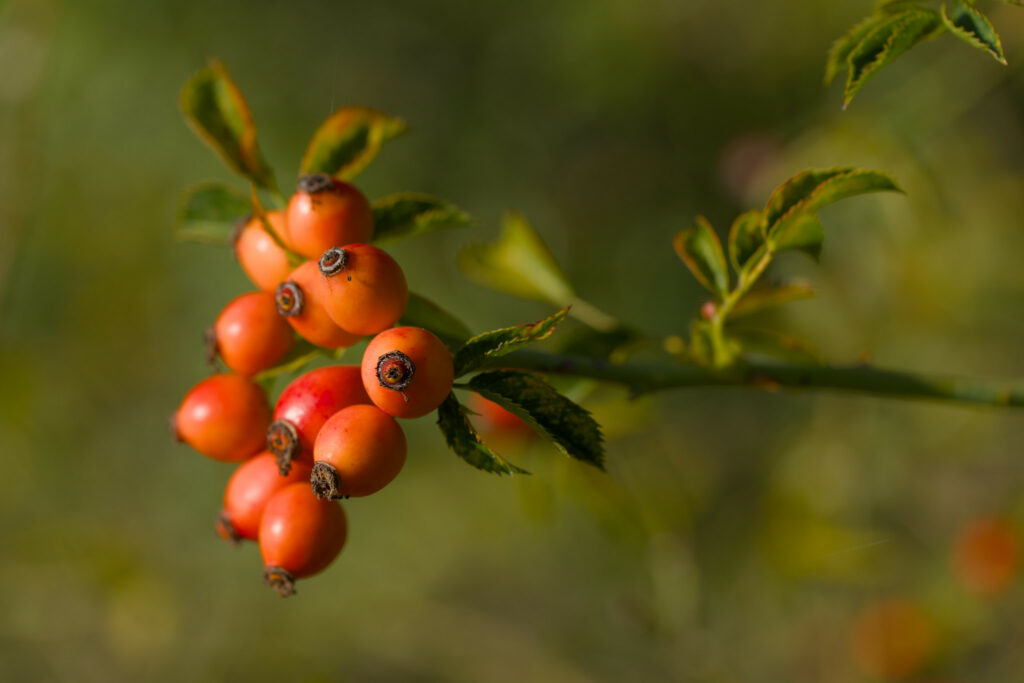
[(216, 109)]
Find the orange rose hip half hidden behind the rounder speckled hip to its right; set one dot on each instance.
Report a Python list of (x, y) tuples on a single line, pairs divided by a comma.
[(301, 301)]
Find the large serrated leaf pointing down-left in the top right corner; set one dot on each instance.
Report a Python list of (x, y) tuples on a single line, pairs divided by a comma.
[(899, 33)]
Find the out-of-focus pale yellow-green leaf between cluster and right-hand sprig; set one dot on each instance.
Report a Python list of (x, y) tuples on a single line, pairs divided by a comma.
[(519, 264)]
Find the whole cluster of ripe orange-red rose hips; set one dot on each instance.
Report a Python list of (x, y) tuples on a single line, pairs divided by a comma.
[(333, 432)]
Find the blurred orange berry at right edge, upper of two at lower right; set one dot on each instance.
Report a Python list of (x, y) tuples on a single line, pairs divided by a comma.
[(987, 557)]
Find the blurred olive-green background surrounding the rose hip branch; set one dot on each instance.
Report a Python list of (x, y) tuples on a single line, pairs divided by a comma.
[(737, 537)]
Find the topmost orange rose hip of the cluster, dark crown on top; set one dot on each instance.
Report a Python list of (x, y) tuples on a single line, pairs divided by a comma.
[(325, 212)]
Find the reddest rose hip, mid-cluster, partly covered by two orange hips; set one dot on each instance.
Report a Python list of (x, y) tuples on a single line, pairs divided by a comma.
[(306, 405)]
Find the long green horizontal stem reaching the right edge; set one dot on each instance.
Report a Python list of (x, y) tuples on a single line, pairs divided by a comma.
[(650, 377)]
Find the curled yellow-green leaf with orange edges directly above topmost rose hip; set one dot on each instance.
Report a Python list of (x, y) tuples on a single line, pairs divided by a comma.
[(349, 141)]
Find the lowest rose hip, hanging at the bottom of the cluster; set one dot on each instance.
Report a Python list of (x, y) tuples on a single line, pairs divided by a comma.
[(300, 536)]
